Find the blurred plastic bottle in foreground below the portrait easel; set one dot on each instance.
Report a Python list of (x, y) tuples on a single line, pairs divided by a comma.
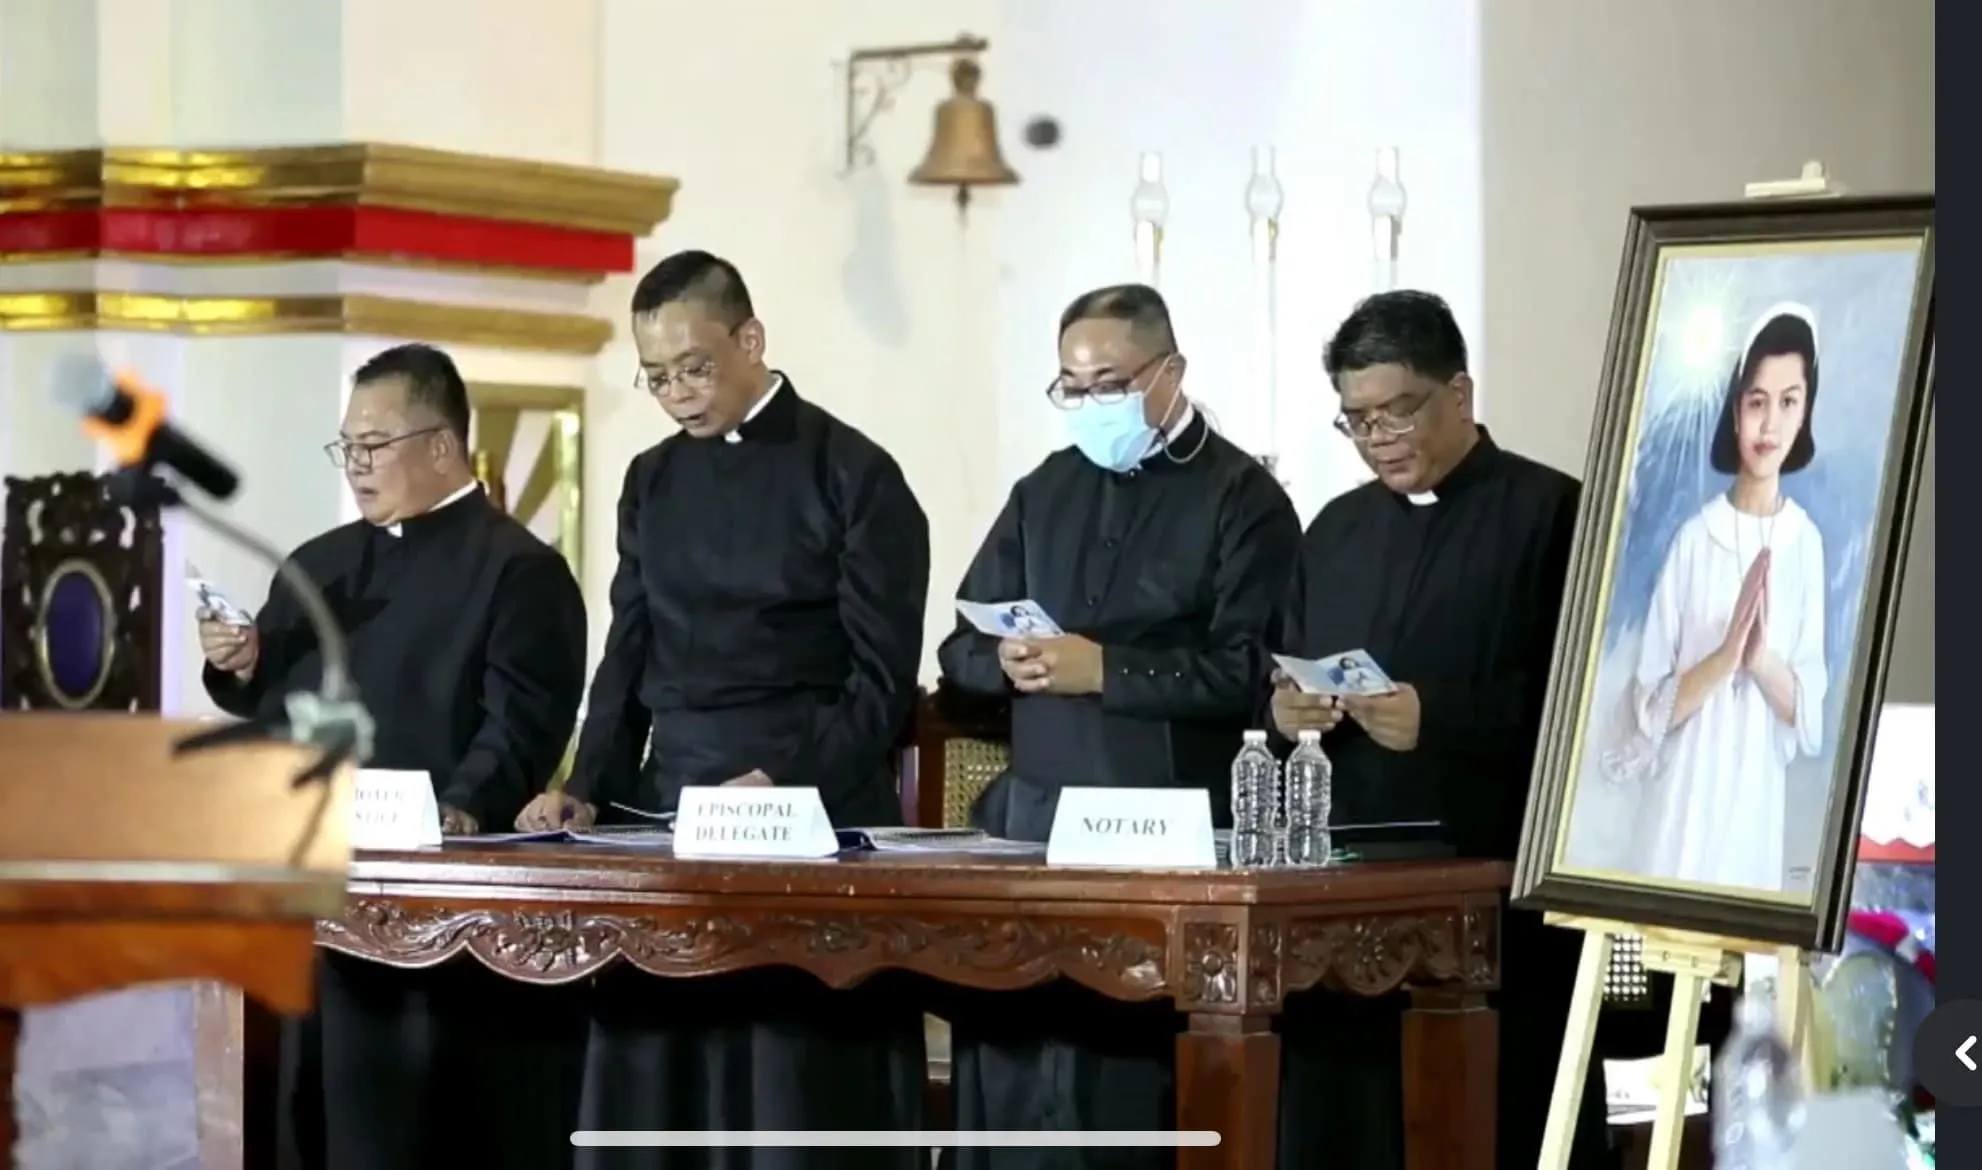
[(1759, 1100)]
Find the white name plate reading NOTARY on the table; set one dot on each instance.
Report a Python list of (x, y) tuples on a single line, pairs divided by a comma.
[(1133, 828)]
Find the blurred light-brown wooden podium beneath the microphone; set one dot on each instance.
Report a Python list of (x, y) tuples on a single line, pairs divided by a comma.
[(124, 866)]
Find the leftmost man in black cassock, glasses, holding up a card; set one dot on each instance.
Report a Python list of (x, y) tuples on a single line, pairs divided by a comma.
[(467, 643)]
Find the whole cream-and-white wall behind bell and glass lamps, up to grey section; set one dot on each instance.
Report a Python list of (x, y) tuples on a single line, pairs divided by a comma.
[(938, 338)]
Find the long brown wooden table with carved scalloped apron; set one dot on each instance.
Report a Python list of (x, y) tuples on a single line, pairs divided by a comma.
[(1224, 947)]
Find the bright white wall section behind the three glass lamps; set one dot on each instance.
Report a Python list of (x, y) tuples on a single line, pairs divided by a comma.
[(1204, 84)]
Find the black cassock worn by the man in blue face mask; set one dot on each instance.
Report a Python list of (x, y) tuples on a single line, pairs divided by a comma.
[(1174, 570)]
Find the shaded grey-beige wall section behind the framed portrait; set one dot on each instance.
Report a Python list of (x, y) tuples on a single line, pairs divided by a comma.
[(1589, 110)]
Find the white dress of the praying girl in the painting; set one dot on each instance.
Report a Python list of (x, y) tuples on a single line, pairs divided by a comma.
[(1715, 788)]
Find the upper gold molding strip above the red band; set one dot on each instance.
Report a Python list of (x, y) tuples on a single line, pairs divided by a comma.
[(348, 174)]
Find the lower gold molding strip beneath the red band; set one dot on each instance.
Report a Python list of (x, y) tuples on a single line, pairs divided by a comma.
[(358, 314)]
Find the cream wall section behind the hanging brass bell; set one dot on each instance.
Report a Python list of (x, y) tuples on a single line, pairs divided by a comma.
[(875, 296)]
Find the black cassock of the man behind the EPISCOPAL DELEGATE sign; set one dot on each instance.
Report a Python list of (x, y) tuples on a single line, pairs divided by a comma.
[(766, 616)]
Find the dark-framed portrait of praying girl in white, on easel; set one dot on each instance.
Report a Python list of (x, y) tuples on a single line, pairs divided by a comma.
[(1751, 485)]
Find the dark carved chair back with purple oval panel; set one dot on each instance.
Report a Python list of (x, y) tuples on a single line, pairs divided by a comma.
[(80, 598)]
